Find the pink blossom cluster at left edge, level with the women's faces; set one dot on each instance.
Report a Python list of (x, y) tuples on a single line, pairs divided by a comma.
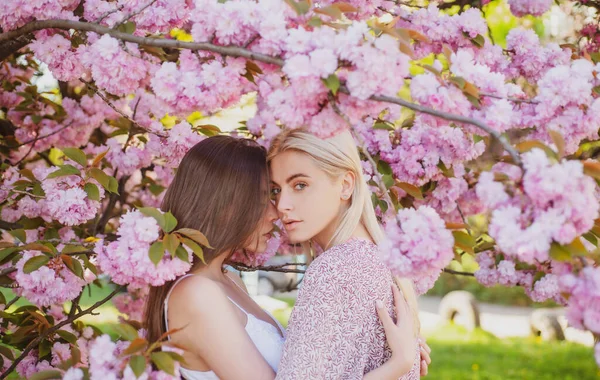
[(65, 200)]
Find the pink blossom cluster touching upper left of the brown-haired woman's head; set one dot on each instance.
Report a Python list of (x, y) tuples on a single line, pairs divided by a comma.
[(175, 145)]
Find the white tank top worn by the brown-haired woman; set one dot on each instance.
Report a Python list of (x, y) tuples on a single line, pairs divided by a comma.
[(265, 337)]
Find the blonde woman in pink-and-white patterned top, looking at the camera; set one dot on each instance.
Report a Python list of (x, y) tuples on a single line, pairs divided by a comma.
[(334, 331)]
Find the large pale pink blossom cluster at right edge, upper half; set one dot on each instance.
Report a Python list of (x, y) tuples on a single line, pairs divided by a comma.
[(567, 104)]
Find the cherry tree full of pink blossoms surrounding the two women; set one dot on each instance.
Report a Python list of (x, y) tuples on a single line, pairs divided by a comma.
[(452, 128)]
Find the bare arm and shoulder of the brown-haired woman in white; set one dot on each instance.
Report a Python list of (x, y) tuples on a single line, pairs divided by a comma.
[(213, 332)]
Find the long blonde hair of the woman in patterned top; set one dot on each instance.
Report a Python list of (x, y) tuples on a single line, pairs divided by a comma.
[(336, 156)]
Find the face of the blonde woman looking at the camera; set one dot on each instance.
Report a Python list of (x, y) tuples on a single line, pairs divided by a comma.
[(307, 199)]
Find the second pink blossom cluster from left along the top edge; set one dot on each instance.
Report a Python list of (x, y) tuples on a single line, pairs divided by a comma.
[(160, 17)]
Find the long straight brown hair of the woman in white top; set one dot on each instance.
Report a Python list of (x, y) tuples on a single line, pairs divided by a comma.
[(220, 189)]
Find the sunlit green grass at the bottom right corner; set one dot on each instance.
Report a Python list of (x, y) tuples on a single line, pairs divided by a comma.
[(458, 354)]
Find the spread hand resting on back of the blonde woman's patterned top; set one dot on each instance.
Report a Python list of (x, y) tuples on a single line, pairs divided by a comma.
[(400, 335)]
